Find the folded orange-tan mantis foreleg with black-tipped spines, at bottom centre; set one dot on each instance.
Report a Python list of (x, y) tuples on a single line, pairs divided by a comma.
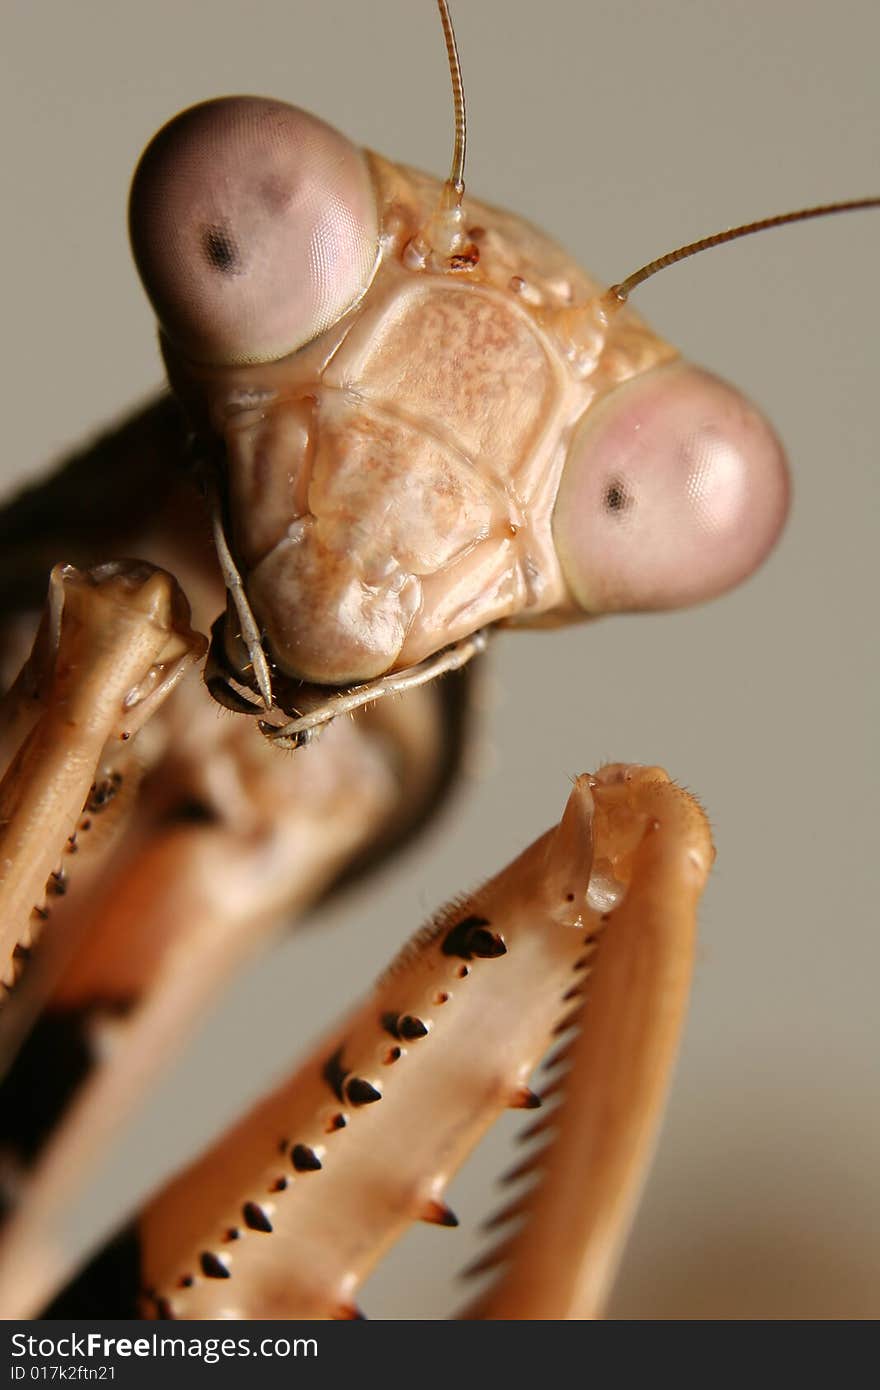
[(287, 1216)]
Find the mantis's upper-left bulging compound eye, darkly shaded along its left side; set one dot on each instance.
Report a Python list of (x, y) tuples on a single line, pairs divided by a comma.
[(254, 227)]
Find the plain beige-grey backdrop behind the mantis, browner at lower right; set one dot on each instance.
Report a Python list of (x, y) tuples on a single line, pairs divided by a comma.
[(624, 129)]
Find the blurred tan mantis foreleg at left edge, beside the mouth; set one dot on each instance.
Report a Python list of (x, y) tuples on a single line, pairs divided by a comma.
[(113, 643)]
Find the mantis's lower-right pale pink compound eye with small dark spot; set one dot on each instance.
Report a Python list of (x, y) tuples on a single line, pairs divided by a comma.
[(674, 491)]
